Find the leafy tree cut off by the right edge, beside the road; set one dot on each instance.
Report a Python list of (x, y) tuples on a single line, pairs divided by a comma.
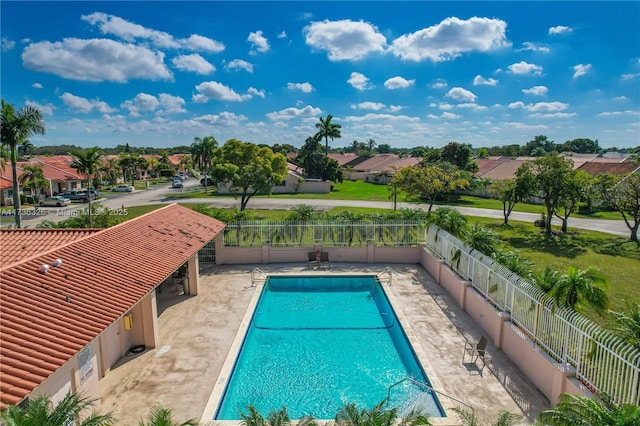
[(622, 196)]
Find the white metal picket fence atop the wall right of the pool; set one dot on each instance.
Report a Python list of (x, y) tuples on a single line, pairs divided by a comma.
[(603, 361)]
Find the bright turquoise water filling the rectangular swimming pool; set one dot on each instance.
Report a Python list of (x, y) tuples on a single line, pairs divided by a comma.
[(316, 343)]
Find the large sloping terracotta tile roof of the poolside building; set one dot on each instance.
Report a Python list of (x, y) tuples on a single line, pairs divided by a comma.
[(46, 318)]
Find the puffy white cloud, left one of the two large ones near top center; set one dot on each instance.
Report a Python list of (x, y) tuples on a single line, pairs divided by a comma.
[(345, 40)]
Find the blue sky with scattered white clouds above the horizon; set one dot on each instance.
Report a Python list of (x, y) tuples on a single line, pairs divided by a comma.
[(402, 73)]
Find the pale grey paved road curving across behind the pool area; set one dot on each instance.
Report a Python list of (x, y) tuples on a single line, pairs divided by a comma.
[(161, 194)]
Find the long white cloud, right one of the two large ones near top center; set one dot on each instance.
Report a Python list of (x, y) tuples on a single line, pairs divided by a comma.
[(451, 38)]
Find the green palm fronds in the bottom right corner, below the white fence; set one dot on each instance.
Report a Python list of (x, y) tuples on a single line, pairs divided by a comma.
[(575, 410)]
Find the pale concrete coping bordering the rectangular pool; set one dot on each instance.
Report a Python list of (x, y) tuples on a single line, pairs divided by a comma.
[(221, 383)]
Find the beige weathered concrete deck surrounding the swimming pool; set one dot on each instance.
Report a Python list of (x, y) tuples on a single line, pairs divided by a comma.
[(196, 333)]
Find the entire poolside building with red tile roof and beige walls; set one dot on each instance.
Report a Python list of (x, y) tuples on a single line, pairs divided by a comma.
[(73, 302)]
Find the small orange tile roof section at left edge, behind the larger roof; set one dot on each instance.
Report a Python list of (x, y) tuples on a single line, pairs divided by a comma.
[(17, 245)]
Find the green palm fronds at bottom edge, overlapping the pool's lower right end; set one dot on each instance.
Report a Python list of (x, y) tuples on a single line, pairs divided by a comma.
[(379, 415)]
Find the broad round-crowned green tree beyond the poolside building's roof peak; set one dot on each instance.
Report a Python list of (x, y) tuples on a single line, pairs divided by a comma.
[(248, 169)]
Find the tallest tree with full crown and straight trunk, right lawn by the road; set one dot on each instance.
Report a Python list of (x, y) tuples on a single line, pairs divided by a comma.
[(544, 178)]
